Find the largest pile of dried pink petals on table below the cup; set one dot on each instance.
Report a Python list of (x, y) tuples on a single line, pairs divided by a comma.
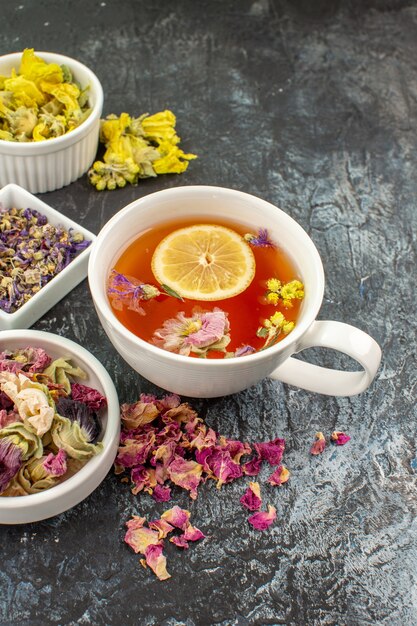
[(165, 443)]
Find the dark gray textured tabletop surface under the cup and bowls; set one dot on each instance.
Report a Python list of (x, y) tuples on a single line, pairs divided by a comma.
[(312, 106)]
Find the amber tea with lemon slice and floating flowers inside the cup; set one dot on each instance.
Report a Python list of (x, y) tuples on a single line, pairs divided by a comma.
[(206, 289)]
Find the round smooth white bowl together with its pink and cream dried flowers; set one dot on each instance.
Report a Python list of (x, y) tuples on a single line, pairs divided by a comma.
[(59, 425)]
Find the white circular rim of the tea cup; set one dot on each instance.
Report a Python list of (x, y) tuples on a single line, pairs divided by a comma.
[(103, 306)]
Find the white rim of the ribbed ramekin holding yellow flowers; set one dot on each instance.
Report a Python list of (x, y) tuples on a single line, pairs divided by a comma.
[(54, 144)]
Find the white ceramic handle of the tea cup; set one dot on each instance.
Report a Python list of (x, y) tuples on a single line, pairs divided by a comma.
[(338, 336)]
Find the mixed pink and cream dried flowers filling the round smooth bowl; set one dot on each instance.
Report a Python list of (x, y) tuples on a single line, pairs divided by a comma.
[(46, 435)]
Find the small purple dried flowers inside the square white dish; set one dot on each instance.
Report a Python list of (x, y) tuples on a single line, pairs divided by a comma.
[(32, 252)]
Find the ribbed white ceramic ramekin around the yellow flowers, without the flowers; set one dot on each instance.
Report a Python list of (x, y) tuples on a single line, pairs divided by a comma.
[(47, 165)]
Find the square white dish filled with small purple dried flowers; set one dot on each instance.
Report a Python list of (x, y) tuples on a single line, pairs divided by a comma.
[(43, 255)]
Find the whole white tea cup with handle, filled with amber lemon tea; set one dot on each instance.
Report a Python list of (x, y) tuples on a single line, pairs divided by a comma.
[(244, 302)]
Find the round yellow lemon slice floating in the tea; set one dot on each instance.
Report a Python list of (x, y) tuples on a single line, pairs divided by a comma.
[(204, 262)]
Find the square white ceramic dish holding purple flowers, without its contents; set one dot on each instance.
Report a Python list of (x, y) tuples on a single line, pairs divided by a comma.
[(14, 196)]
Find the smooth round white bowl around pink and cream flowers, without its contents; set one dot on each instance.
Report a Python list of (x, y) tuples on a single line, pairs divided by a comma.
[(39, 506)]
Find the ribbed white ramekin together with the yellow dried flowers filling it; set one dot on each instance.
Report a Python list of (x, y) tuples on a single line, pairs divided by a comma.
[(50, 108)]
